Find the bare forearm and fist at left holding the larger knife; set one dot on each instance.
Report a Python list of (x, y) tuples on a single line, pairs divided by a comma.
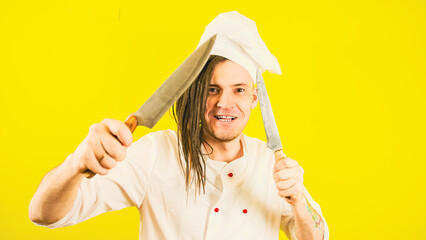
[(99, 152)]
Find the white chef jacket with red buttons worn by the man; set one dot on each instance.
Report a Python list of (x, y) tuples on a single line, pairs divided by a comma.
[(240, 201)]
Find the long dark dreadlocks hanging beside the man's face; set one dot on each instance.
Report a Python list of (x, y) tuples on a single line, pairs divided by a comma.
[(188, 112)]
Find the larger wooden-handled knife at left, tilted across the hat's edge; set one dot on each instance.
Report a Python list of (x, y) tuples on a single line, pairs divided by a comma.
[(164, 97)]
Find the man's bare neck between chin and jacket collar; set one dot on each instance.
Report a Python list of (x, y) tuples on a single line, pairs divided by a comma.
[(225, 151)]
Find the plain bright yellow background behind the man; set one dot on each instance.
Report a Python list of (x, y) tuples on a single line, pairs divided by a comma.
[(350, 104)]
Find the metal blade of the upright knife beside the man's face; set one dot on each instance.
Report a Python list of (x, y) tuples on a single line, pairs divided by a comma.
[(269, 123)]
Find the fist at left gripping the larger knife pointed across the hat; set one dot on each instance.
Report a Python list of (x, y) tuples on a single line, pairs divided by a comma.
[(103, 147)]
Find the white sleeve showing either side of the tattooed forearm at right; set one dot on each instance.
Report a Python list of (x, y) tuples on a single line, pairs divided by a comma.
[(287, 217)]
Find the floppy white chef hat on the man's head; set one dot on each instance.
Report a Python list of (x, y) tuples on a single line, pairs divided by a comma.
[(238, 40)]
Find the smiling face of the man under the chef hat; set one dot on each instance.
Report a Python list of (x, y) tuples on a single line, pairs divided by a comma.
[(231, 96)]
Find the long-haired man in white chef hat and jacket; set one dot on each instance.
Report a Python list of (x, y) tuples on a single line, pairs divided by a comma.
[(207, 180)]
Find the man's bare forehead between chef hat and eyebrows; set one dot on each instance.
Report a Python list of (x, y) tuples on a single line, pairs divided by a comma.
[(230, 73)]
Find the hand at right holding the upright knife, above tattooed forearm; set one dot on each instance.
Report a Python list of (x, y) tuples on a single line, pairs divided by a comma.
[(288, 176)]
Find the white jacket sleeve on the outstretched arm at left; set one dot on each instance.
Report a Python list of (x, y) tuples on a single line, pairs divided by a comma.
[(124, 186)]
